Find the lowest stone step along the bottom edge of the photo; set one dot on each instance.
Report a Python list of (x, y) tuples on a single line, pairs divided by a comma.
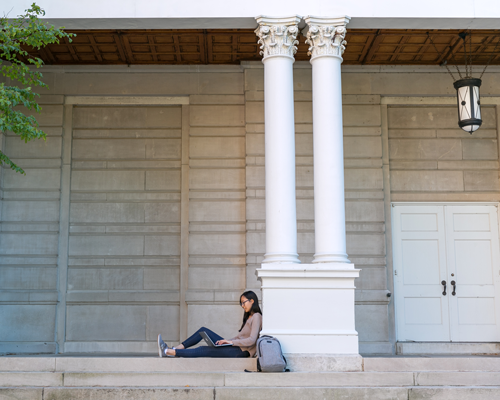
[(227, 393)]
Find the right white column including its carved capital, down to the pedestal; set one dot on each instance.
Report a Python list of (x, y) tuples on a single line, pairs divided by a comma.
[(325, 37)]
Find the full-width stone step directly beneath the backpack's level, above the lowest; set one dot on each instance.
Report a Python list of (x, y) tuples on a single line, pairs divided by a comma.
[(238, 379)]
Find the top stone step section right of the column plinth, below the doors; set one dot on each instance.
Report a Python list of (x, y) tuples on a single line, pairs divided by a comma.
[(409, 364)]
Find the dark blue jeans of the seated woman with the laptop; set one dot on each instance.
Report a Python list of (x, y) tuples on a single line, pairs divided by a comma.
[(206, 351)]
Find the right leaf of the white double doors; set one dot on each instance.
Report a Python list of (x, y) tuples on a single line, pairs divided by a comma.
[(472, 243)]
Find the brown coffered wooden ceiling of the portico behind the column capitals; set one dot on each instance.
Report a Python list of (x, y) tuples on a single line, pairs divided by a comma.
[(364, 47)]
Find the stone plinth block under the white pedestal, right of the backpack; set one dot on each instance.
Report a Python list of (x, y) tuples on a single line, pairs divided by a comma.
[(324, 362)]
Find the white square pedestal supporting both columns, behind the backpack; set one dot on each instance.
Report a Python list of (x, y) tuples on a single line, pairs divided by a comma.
[(310, 307)]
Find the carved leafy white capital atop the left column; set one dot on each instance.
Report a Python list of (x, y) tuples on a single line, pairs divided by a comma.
[(277, 36)]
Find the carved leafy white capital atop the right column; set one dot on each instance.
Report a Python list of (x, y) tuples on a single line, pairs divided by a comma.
[(325, 36)]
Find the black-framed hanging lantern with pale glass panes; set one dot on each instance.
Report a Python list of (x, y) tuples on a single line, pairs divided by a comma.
[(469, 105)]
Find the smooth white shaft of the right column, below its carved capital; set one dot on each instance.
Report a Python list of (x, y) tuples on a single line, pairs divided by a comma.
[(329, 208)]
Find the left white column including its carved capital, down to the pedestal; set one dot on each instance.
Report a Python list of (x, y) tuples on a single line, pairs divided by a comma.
[(277, 37)]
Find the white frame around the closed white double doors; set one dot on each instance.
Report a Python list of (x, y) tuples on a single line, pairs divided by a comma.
[(420, 204)]
